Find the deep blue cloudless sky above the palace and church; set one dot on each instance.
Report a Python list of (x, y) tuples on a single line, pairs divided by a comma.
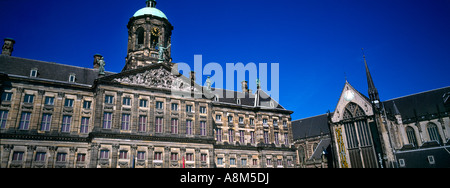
[(316, 42)]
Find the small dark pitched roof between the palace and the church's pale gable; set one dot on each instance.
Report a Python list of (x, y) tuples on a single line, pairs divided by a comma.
[(310, 127)]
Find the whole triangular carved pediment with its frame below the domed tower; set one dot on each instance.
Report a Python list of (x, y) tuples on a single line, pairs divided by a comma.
[(156, 76)]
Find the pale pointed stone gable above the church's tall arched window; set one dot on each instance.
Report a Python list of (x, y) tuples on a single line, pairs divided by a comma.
[(351, 103)]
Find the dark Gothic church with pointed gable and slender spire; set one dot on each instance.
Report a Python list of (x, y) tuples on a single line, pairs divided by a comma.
[(364, 132)]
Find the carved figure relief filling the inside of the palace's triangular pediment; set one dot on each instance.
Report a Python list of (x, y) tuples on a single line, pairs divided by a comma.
[(159, 78)]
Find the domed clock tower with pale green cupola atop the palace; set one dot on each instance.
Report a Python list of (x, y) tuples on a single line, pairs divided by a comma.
[(148, 30)]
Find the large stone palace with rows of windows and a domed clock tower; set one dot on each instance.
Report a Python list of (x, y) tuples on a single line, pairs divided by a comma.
[(147, 116)]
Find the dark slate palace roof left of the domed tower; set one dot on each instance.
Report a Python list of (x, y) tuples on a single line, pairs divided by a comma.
[(47, 70)]
